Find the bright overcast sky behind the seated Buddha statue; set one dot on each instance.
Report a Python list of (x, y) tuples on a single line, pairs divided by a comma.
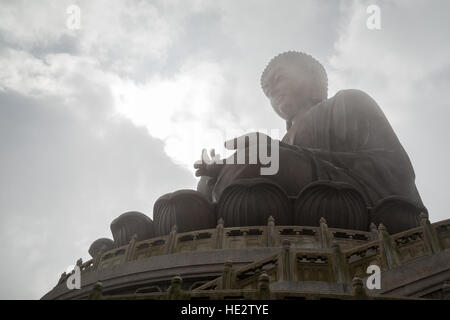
[(105, 119)]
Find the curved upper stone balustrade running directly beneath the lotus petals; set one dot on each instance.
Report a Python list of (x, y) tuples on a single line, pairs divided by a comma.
[(234, 238)]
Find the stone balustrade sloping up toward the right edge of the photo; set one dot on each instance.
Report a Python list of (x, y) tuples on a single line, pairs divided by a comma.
[(334, 265)]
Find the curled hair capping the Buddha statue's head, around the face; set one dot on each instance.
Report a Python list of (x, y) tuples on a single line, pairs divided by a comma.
[(313, 68)]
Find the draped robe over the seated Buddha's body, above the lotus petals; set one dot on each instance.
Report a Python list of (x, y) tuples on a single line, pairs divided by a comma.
[(346, 138)]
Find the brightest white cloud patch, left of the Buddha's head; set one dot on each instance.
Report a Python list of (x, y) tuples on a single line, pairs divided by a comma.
[(182, 109)]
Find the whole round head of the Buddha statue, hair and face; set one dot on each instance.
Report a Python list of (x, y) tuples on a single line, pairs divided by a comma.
[(293, 82)]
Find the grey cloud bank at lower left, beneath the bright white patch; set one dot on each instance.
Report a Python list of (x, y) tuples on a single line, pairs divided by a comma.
[(64, 179)]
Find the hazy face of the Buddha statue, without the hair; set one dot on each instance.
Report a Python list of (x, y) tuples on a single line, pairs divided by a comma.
[(288, 92)]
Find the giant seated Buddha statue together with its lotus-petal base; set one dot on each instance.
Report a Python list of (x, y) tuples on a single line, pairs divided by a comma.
[(340, 159)]
